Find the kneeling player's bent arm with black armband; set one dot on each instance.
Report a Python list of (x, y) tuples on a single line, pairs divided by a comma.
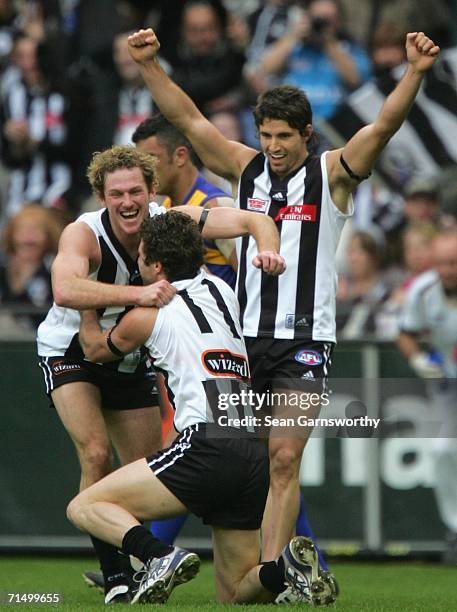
[(110, 345)]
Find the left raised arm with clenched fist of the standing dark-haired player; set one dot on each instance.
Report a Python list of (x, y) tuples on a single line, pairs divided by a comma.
[(224, 157)]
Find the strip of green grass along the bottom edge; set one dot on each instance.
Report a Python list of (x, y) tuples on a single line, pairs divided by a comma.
[(365, 587)]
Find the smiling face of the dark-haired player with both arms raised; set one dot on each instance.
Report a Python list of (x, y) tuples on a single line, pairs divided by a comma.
[(284, 146)]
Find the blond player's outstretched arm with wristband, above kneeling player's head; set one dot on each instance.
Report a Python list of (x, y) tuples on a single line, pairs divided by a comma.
[(233, 223)]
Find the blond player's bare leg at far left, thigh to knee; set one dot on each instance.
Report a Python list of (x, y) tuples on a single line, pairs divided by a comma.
[(78, 406)]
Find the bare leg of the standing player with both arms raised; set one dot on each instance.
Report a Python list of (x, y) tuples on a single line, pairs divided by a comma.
[(283, 501)]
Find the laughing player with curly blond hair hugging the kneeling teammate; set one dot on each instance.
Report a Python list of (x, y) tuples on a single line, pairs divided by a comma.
[(96, 267)]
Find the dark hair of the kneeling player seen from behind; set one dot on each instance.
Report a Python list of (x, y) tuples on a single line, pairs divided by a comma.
[(175, 240)]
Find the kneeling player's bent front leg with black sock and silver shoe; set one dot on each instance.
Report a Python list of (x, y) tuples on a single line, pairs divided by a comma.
[(112, 509)]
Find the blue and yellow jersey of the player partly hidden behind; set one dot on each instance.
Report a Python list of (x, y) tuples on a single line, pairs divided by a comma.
[(199, 194)]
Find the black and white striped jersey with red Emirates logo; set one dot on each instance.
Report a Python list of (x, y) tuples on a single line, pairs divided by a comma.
[(300, 303)]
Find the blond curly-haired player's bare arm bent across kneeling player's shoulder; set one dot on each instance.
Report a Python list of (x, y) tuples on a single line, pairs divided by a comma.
[(78, 254)]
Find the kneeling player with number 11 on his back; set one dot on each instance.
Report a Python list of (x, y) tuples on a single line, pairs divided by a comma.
[(213, 471)]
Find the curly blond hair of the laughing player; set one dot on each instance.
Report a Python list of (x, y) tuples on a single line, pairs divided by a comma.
[(117, 158)]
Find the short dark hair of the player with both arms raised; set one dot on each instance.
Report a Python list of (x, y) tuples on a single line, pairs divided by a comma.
[(286, 103)]
